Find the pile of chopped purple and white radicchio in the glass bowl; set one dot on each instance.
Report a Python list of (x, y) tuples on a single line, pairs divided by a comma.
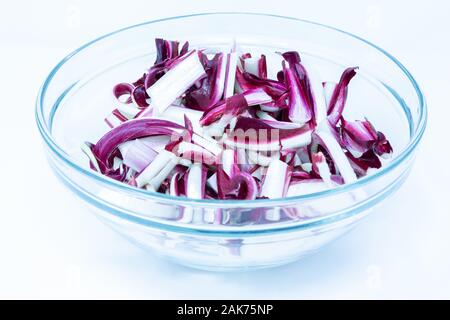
[(231, 125)]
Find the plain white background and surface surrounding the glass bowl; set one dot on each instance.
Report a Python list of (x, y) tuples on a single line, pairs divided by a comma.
[(51, 247)]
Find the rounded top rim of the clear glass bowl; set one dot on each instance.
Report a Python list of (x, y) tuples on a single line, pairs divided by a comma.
[(45, 130)]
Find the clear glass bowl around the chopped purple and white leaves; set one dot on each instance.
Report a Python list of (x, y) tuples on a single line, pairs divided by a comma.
[(227, 235)]
